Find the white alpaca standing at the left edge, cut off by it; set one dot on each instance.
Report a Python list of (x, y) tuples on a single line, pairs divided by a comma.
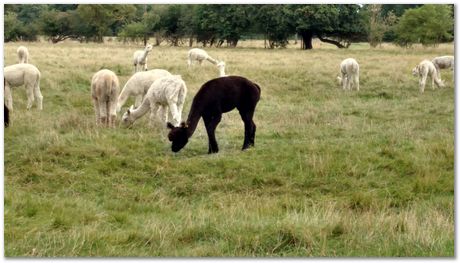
[(23, 74)]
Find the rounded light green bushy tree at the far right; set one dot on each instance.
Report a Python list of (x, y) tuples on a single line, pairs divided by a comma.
[(428, 25)]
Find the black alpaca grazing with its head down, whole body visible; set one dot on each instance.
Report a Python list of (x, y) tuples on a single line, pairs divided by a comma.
[(215, 97)]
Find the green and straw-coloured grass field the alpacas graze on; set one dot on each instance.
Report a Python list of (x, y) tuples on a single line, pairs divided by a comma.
[(334, 173)]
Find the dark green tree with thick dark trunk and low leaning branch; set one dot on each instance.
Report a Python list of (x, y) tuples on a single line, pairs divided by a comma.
[(334, 24)]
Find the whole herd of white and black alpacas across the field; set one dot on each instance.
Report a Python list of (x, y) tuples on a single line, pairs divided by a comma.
[(163, 94)]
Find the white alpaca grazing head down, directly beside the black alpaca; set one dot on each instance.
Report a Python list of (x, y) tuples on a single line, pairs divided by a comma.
[(167, 92)]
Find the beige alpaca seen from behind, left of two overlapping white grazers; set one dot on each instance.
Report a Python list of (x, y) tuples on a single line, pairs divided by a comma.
[(104, 92)]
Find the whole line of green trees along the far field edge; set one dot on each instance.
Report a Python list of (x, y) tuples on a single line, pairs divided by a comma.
[(224, 25)]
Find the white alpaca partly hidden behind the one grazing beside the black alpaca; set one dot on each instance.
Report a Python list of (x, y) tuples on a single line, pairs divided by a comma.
[(138, 85)]
